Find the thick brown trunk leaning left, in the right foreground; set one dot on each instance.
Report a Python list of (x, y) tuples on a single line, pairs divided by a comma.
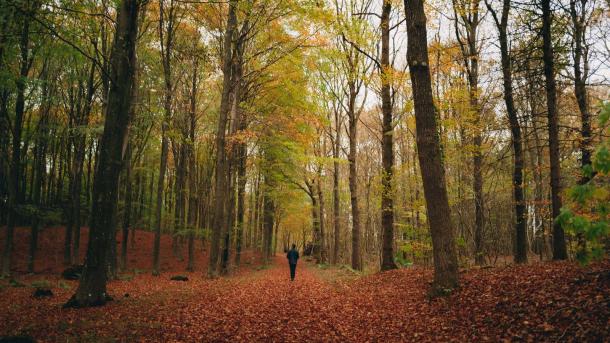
[(429, 151)]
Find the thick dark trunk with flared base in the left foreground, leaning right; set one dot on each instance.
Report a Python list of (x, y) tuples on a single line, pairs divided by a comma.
[(91, 289)]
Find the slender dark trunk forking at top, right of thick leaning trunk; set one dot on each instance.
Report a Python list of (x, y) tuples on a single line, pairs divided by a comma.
[(520, 242)]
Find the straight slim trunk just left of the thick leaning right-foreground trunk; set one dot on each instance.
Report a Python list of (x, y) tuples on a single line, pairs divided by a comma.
[(387, 145)]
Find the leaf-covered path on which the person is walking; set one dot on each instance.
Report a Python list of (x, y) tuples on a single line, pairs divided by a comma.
[(268, 307)]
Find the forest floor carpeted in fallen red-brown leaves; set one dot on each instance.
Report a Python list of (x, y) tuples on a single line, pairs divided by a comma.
[(553, 301)]
